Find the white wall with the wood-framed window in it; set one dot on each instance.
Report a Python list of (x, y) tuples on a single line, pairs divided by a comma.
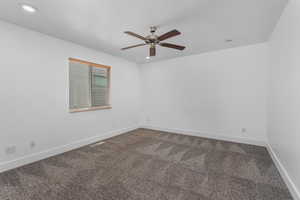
[(34, 93)]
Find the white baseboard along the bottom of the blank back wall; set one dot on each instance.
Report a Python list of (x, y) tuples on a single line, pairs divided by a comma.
[(211, 136)]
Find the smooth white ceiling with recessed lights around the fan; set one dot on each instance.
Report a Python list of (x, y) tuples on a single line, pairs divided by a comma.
[(99, 24)]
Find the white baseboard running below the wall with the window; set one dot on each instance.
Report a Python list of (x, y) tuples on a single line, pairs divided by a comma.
[(4, 166)]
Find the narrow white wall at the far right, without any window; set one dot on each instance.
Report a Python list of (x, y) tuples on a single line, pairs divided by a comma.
[(284, 96)]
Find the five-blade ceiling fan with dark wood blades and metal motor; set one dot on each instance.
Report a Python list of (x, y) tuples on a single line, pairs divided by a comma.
[(152, 40)]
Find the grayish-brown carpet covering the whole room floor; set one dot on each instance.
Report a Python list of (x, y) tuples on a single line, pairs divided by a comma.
[(150, 165)]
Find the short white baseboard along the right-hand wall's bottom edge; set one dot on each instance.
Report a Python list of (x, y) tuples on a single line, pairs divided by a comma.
[(284, 174)]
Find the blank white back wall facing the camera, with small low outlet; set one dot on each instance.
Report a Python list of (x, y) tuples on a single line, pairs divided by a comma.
[(216, 93)]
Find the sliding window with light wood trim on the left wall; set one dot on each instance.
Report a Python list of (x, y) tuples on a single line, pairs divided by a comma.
[(89, 86)]
